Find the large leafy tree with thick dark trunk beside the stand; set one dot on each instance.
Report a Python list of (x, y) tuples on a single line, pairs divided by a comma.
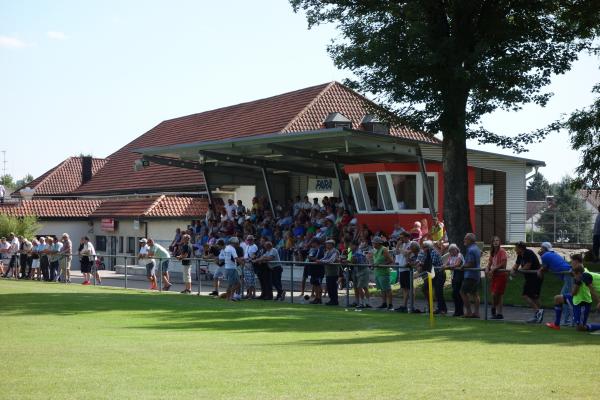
[(441, 65)]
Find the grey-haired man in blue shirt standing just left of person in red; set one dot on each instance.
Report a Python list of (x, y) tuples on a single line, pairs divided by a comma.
[(469, 289)]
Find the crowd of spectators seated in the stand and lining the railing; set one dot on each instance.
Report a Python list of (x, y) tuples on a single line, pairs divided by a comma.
[(248, 245)]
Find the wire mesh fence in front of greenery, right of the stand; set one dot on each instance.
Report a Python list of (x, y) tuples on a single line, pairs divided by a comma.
[(554, 227)]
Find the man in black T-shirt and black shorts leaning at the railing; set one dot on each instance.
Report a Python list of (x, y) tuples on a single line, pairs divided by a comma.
[(527, 260)]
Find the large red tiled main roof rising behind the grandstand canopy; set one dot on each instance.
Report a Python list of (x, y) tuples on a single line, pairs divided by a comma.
[(300, 110)]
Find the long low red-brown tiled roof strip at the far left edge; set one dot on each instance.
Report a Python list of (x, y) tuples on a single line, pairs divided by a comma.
[(42, 208)]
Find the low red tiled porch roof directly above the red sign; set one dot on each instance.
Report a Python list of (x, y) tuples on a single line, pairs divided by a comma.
[(153, 207)]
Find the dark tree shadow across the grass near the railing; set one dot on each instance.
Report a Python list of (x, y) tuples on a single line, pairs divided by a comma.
[(179, 313)]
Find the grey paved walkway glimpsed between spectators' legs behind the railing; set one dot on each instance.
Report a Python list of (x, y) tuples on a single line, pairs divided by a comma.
[(111, 279)]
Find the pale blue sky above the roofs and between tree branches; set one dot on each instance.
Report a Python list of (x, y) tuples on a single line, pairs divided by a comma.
[(88, 77)]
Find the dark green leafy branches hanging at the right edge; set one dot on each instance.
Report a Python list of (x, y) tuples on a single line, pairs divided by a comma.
[(584, 127)]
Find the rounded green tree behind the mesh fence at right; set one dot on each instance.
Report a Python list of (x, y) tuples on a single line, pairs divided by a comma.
[(568, 216)]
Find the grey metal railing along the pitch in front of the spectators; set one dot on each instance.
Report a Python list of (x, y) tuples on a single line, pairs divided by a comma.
[(202, 267)]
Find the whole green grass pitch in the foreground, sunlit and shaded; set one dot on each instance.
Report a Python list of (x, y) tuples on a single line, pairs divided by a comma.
[(90, 343)]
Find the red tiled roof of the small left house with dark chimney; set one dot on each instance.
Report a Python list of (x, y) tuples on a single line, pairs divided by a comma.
[(64, 178)]
